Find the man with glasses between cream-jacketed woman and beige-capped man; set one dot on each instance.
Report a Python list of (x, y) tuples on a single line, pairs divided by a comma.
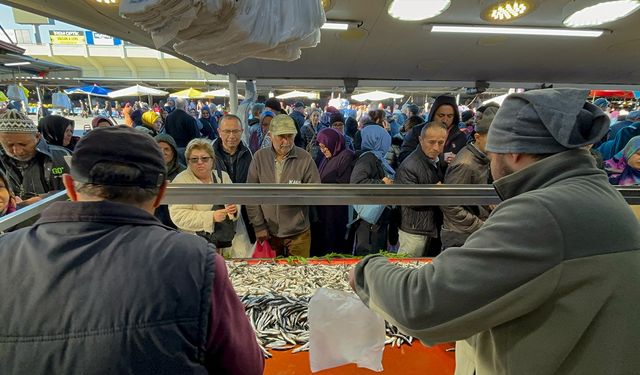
[(233, 157)]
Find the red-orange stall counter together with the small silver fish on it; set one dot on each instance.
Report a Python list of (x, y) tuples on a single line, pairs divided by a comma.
[(276, 295)]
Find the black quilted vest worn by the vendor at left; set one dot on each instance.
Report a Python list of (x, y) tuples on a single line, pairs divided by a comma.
[(103, 288)]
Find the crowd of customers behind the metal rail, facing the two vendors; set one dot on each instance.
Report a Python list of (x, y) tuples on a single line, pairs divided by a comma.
[(355, 144)]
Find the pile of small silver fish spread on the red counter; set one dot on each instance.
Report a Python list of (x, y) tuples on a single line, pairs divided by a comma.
[(276, 299)]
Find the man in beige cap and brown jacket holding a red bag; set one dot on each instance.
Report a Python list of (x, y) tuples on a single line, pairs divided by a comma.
[(285, 227)]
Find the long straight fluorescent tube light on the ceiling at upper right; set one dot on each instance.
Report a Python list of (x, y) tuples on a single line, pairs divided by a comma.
[(503, 30)]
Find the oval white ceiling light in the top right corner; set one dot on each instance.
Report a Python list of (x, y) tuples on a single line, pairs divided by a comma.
[(592, 13)]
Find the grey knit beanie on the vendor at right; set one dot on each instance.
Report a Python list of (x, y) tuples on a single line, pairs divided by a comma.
[(546, 121)]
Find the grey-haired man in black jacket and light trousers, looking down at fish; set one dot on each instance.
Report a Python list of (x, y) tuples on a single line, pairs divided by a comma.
[(419, 224)]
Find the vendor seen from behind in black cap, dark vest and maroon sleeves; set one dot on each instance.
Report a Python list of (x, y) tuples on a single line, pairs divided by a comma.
[(138, 297)]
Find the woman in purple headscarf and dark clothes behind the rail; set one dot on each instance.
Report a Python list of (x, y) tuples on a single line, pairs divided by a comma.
[(329, 232)]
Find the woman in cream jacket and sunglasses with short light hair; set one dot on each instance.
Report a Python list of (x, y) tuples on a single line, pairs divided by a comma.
[(194, 218)]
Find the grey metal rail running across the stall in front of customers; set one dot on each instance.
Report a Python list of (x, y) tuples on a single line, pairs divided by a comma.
[(313, 194)]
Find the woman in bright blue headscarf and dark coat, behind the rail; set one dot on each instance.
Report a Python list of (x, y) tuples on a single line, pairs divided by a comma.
[(372, 167)]
